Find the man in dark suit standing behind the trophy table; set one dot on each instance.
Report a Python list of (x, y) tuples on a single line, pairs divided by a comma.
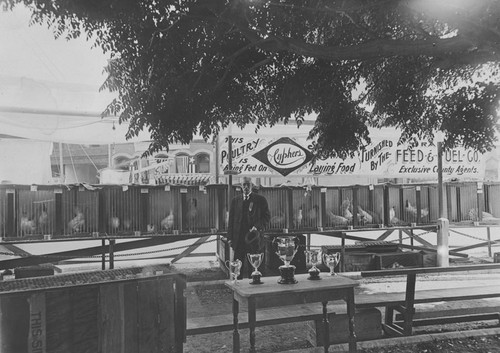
[(248, 217)]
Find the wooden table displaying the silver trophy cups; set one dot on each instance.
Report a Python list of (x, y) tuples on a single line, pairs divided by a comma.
[(273, 294)]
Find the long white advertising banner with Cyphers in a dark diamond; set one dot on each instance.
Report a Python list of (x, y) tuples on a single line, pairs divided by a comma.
[(267, 156)]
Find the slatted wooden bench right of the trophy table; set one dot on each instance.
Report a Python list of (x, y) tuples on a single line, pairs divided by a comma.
[(404, 302)]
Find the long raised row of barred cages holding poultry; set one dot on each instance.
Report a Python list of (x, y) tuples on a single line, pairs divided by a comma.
[(114, 210)]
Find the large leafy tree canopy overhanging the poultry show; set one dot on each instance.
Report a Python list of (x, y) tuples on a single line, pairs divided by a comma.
[(185, 66)]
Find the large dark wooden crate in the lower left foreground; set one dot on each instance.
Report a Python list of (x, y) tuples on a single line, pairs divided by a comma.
[(124, 310)]
